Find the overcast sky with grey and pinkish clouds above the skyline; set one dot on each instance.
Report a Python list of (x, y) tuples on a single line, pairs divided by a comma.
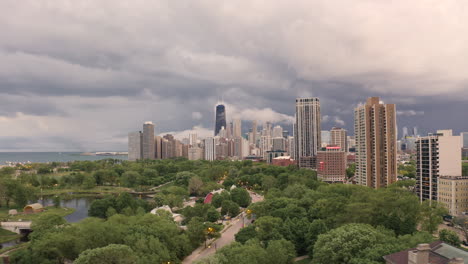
[(80, 75)]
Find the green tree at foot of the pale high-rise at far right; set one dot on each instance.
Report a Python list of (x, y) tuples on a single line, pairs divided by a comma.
[(432, 214)]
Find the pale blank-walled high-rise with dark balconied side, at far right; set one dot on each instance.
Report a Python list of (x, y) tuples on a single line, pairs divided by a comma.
[(436, 155)]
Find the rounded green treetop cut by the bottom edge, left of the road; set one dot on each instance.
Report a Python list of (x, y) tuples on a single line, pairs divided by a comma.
[(111, 254)]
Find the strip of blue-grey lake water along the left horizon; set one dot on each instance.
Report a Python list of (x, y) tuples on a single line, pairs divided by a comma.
[(50, 157)]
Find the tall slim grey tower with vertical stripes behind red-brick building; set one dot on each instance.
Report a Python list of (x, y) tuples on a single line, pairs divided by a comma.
[(307, 130)]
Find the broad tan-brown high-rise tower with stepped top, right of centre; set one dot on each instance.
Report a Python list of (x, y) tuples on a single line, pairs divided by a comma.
[(375, 130)]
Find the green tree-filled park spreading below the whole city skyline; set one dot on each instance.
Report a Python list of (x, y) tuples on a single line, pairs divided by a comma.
[(300, 215)]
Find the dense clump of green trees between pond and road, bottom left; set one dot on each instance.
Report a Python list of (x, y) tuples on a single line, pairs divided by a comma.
[(148, 238)]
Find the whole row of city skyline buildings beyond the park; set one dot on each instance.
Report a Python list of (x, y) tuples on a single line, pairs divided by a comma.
[(374, 149)]
